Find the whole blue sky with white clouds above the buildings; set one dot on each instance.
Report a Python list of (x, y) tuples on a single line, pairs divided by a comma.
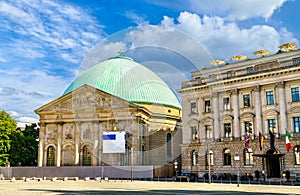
[(45, 44)]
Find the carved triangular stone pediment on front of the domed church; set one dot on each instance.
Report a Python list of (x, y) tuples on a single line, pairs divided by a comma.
[(83, 99)]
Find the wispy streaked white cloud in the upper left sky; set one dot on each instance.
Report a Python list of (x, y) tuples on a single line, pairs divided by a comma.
[(54, 26)]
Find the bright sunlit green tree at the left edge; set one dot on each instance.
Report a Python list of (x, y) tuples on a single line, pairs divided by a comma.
[(7, 126)]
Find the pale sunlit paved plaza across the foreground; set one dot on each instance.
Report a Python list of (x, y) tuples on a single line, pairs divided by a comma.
[(137, 187)]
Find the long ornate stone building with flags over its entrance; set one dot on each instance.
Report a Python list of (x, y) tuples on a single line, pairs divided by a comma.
[(224, 103)]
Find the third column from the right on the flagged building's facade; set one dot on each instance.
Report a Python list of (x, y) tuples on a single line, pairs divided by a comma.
[(236, 121)]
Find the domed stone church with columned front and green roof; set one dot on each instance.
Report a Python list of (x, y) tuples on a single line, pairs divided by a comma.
[(117, 95)]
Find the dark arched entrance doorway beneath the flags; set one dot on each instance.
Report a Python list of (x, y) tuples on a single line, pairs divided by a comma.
[(273, 165)]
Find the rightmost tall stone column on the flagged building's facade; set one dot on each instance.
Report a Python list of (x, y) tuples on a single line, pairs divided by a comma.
[(282, 108)]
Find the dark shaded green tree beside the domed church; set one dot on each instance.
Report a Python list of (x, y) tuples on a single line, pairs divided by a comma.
[(24, 146)]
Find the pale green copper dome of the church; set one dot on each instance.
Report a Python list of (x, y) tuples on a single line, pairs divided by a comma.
[(122, 77)]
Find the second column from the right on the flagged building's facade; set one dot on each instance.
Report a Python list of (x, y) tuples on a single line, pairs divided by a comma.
[(258, 111)]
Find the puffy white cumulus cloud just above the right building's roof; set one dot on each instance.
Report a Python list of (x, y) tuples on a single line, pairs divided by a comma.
[(224, 39)]
